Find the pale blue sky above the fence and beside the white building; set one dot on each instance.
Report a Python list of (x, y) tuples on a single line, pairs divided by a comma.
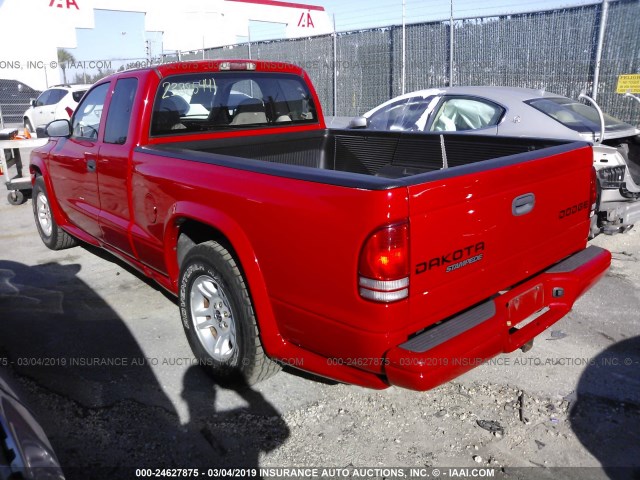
[(123, 32)]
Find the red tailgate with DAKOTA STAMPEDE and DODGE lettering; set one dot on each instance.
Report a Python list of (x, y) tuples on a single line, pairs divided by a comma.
[(483, 228)]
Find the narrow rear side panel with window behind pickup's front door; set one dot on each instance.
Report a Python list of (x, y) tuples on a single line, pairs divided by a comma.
[(114, 178)]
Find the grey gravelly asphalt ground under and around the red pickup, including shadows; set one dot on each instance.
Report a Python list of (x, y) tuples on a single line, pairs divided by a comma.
[(100, 356)]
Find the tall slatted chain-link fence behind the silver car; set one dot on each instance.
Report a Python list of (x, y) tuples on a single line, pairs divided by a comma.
[(552, 50)]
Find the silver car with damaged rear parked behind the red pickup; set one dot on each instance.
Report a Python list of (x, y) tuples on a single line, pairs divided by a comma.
[(522, 112)]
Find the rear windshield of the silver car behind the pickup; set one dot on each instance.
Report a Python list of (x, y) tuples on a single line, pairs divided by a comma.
[(575, 115)]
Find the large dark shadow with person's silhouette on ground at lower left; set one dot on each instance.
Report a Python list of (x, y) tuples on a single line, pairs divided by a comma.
[(97, 397)]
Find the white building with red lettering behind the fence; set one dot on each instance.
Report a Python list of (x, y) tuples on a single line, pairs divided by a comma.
[(31, 31)]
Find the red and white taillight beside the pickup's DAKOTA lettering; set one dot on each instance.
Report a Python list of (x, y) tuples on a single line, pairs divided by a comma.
[(384, 264)]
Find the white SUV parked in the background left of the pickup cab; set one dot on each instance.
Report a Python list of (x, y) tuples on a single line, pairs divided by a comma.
[(57, 102)]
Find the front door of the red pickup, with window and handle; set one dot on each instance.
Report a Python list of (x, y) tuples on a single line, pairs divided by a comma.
[(74, 163)]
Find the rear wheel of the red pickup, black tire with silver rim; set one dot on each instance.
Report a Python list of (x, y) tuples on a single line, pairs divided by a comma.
[(229, 345)]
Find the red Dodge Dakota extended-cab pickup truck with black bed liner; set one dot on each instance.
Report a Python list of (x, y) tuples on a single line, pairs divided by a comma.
[(374, 258)]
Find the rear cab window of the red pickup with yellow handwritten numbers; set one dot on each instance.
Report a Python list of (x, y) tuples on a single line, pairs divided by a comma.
[(207, 102)]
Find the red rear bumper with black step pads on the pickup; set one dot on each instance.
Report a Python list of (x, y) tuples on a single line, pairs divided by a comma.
[(499, 325)]
